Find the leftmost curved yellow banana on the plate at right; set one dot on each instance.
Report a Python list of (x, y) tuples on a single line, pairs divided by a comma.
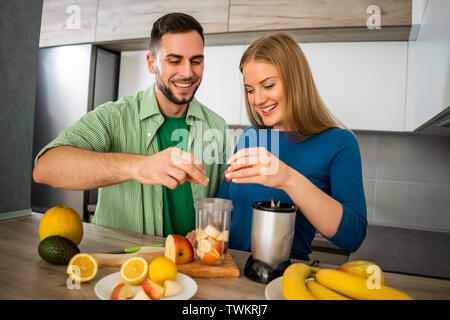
[(293, 282)]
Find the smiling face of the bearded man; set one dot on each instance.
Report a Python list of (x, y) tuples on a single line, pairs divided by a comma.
[(178, 68)]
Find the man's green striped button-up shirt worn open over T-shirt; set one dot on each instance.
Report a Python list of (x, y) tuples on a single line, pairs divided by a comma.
[(130, 125)]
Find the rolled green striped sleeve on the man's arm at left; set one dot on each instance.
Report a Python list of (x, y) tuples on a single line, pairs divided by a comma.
[(94, 131)]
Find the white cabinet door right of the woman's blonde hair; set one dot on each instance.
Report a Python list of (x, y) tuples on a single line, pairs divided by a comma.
[(362, 83)]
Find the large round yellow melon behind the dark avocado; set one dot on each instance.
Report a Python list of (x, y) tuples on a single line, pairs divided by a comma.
[(61, 221)]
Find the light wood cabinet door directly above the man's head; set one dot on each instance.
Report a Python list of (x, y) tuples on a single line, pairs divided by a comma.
[(133, 19)]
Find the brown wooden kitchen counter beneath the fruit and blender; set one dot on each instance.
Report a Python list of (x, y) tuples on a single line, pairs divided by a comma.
[(24, 275)]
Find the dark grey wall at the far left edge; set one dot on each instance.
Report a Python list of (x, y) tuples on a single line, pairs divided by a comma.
[(19, 40)]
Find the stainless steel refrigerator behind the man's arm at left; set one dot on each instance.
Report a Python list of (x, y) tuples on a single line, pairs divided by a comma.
[(71, 81)]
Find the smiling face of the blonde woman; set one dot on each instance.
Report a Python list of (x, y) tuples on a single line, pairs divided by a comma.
[(265, 92)]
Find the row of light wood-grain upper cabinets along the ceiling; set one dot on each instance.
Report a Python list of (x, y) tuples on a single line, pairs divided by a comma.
[(125, 24)]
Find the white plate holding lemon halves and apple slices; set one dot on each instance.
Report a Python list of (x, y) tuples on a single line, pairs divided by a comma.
[(104, 286)]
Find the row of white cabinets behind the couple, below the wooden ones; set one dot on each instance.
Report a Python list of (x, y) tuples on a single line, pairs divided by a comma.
[(362, 83)]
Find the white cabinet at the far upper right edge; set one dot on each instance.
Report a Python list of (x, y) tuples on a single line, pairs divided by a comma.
[(428, 94)]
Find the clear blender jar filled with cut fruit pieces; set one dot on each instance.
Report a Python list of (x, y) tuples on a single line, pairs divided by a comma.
[(212, 225)]
